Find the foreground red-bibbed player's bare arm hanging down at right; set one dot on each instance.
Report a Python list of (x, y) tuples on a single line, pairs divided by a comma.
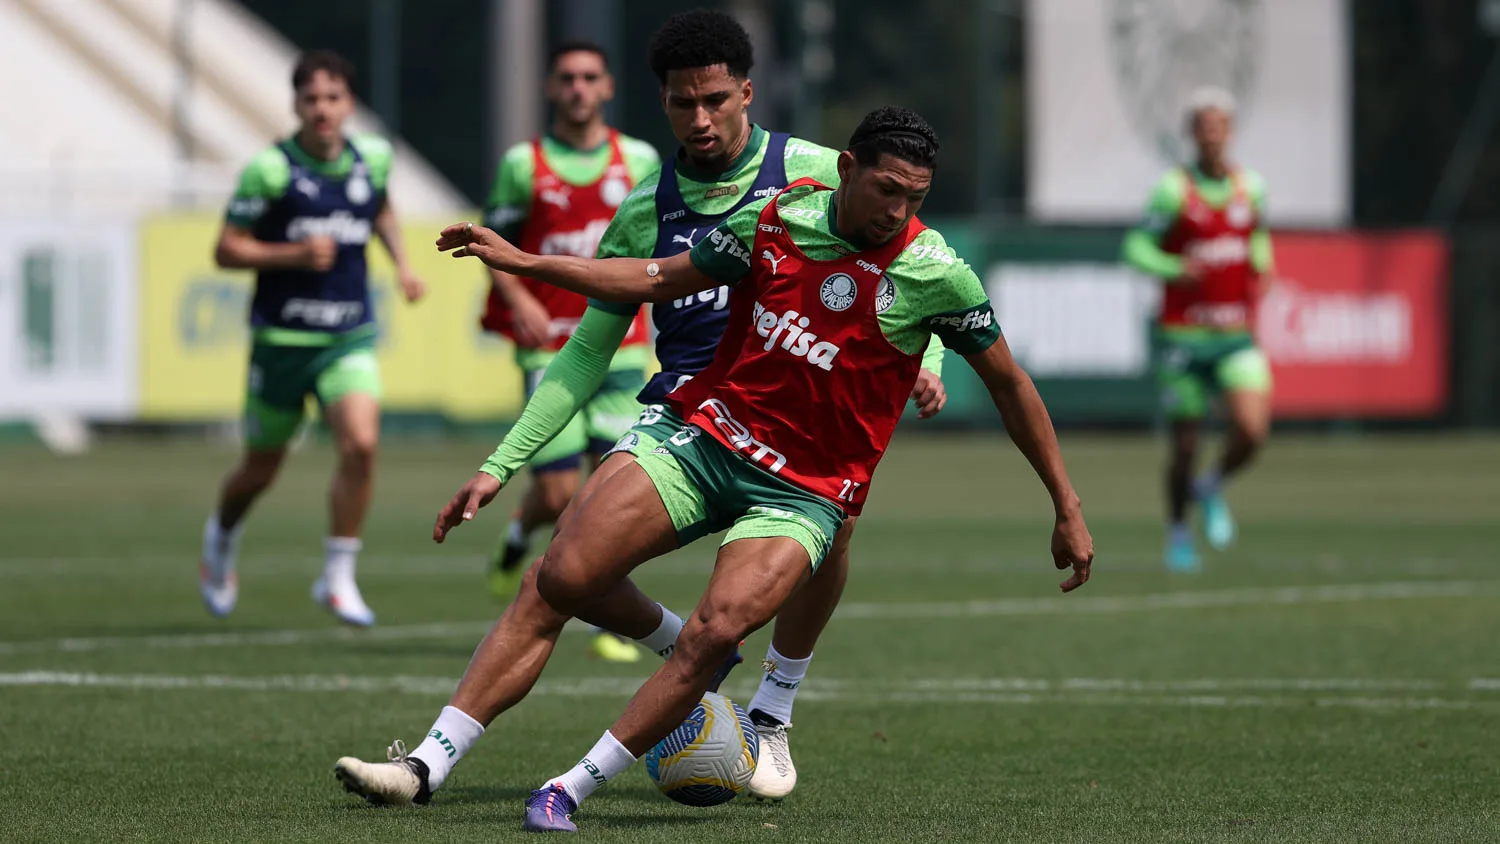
[(1031, 429)]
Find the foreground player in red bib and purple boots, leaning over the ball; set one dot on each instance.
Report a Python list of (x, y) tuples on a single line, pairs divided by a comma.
[(835, 299)]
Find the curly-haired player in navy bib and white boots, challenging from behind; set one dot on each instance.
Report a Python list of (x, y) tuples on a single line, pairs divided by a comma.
[(725, 164)]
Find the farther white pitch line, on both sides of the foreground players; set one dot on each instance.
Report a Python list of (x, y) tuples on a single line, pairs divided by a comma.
[(1070, 605)]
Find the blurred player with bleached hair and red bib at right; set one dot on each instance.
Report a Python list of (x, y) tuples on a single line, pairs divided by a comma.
[(1207, 239)]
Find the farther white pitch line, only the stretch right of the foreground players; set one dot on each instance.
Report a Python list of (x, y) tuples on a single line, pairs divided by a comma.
[(1106, 605)]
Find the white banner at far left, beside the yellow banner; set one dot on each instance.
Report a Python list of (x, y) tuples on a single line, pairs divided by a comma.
[(68, 310)]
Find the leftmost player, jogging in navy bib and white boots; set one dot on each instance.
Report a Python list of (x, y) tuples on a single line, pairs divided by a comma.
[(301, 218)]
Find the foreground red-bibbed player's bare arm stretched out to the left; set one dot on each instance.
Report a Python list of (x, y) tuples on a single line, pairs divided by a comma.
[(608, 280)]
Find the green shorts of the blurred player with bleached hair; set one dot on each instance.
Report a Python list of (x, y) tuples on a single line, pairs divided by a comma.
[(1193, 367)]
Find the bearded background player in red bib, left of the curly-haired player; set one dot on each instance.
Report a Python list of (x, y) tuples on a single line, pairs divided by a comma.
[(556, 196)]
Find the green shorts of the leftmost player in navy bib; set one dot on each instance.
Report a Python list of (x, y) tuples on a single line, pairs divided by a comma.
[(283, 377)]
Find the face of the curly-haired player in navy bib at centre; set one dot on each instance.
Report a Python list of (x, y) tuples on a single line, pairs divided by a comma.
[(707, 110)]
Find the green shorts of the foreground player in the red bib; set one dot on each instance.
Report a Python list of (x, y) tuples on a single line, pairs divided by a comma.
[(709, 488)]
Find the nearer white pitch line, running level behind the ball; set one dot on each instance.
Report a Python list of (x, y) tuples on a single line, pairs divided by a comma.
[(917, 692)]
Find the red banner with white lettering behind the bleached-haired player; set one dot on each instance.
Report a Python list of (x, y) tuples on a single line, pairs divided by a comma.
[(1358, 325)]
